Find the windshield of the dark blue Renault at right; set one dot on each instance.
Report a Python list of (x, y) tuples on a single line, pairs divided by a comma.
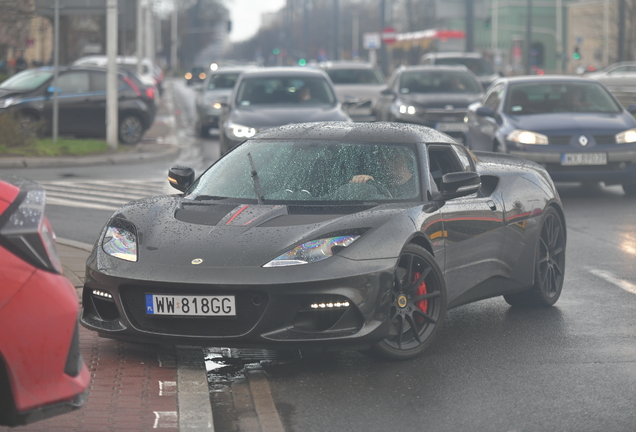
[(546, 97)]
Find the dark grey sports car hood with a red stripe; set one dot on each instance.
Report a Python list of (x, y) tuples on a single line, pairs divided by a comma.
[(174, 231)]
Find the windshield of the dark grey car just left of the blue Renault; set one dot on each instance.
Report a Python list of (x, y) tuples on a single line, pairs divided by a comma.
[(435, 81)]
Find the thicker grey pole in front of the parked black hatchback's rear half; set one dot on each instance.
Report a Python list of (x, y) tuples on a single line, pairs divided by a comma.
[(111, 74)]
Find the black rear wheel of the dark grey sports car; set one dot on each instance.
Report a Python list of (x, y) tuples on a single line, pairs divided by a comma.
[(549, 266)]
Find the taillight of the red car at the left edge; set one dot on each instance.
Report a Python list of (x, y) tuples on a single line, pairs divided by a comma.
[(28, 233)]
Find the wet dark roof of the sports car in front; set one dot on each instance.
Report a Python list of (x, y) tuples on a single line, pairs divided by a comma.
[(375, 132)]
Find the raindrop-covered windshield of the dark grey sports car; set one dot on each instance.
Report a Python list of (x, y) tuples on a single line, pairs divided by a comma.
[(318, 171)]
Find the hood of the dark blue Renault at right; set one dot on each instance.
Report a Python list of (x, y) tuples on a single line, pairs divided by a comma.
[(568, 123)]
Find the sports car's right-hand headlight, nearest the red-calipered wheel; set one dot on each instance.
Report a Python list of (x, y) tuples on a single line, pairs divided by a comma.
[(312, 251)]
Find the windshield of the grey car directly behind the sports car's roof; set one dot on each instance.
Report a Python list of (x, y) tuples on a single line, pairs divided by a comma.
[(285, 90)]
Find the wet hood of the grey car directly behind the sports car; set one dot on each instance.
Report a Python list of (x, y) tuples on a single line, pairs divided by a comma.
[(264, 116)]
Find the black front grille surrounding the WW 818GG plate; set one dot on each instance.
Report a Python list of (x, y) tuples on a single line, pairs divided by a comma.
[(248, 312)]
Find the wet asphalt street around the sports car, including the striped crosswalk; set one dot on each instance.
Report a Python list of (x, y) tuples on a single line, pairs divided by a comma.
[(571, 367)]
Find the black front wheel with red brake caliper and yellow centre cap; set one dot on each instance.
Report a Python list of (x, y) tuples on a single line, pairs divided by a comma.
[(418, 306)]
